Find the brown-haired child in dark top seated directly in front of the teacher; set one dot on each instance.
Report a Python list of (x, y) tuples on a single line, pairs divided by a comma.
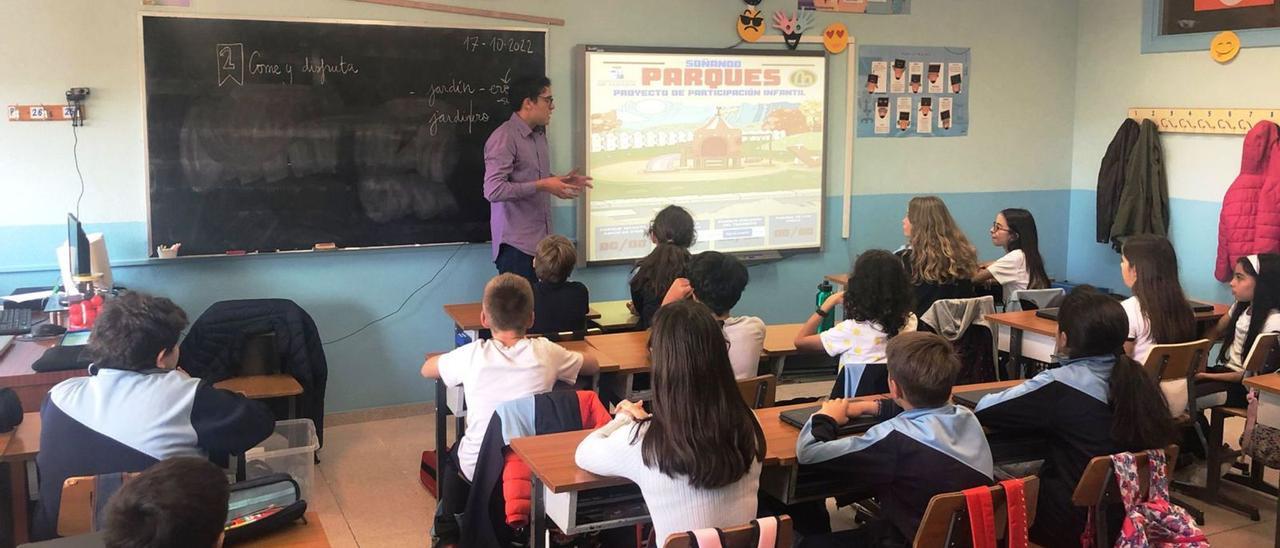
[(560, 305)]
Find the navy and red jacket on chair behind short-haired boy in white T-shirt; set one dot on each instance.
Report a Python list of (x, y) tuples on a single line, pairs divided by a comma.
[(502, 479)]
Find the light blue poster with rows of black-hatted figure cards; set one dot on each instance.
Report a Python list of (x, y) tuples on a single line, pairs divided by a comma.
[(913, 92)]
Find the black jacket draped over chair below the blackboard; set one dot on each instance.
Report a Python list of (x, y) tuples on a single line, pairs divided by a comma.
[(214, 346)]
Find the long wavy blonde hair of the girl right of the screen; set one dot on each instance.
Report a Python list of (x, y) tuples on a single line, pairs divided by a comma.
[(939, 257)]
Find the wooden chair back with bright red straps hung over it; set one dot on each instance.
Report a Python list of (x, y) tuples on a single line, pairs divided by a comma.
[(947, 519)]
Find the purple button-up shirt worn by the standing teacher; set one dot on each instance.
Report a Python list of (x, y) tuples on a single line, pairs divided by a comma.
[(515, 158)]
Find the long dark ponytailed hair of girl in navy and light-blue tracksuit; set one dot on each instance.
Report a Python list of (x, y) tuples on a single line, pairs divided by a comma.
[(1096, 326)]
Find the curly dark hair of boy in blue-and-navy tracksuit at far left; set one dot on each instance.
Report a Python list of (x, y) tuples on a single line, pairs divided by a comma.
[(134, 330)]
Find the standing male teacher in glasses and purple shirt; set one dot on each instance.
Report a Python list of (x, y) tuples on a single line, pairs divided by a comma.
[(518, 179)]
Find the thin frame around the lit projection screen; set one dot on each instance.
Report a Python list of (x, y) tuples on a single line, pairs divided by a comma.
[(584, 141)]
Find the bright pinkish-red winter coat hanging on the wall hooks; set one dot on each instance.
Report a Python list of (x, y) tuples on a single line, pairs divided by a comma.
[(1250, 222)]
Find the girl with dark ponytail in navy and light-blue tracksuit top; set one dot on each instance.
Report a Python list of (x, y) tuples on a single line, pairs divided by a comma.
[(1098, 403)]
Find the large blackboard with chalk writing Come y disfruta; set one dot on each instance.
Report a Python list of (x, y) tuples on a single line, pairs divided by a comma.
[(275, 136)]
